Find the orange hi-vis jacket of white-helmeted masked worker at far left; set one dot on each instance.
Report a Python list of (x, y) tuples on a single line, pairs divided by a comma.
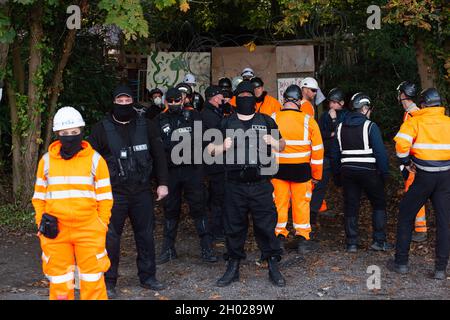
[(75, 191)]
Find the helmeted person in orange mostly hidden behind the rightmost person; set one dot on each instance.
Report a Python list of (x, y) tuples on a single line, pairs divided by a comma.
[(406, 93)]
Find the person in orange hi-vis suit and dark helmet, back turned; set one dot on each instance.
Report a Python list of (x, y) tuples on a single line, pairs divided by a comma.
[(300, 166)]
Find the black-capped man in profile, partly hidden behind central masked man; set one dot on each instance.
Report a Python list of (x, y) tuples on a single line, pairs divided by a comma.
[(212, 115)]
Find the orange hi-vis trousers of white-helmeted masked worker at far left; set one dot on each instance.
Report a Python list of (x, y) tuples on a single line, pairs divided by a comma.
[(84, 245)]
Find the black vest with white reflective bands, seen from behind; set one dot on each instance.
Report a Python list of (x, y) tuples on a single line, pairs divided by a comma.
[(355, 146)]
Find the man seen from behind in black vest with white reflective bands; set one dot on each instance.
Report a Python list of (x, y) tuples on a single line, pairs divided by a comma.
[(359, 160)]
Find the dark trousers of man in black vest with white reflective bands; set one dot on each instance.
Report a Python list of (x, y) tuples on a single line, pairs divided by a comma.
[(354, 182)]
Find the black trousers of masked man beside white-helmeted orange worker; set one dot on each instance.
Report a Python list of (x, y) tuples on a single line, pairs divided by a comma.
[(139, 207)]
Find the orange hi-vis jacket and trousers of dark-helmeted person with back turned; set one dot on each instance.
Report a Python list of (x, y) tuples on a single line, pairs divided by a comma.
[(303, 146)]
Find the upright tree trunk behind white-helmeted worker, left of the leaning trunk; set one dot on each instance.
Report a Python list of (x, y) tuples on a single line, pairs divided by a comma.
[(32, 139)]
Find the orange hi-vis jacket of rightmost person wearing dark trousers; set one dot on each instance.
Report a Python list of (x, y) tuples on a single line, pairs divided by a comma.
[(425, 139)]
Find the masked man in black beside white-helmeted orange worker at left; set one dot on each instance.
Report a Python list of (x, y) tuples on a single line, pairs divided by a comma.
[(132, 147)]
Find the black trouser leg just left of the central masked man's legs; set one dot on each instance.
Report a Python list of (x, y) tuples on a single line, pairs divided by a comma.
[(216, 186)]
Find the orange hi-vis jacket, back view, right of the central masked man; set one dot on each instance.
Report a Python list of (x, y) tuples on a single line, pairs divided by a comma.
[(303, 140)]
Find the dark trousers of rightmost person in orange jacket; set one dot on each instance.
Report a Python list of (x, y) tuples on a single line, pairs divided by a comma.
[(426, 185)]
